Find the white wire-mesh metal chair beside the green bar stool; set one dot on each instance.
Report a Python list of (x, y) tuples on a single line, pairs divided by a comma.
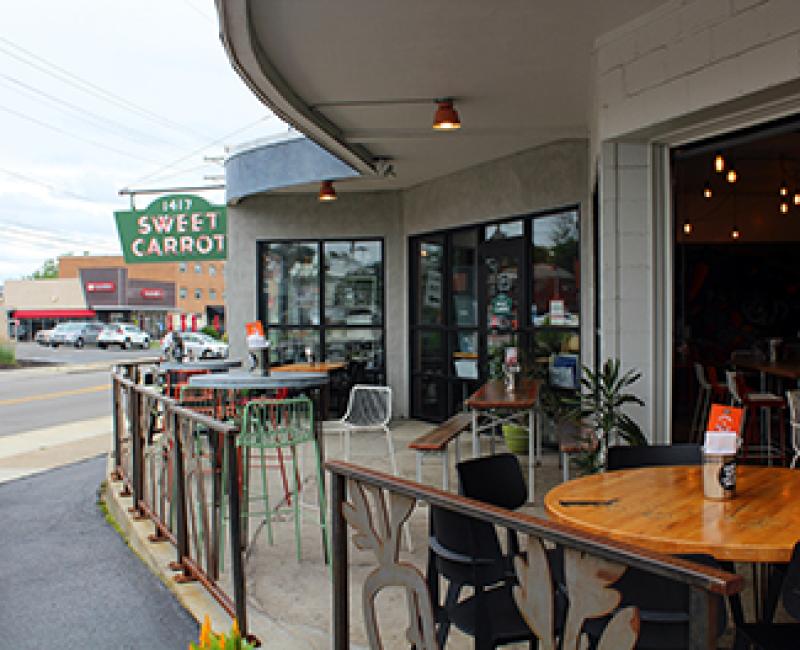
[(368, 409)]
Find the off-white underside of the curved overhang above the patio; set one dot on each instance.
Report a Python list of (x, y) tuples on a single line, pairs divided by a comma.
[(520, 71)]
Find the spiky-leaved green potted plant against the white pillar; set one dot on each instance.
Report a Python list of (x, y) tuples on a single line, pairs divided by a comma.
[(602, 405)]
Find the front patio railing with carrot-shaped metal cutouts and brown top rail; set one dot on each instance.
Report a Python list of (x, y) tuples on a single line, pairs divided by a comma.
[(376, 505)]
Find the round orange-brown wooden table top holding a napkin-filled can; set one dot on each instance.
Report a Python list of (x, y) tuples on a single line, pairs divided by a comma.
[(663, 509)]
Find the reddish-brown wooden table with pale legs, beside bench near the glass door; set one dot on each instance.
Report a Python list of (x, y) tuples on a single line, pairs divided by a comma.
[(493, 397)]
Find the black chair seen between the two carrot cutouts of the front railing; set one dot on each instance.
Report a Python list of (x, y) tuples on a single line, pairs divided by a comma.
[(466, 553)]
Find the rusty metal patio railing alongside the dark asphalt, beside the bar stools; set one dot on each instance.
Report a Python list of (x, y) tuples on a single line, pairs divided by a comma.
[(170, 460)]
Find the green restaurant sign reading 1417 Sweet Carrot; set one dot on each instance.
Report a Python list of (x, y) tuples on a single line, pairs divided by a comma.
[(174, 228)]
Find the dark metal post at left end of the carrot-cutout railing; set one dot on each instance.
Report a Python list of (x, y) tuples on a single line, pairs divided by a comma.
[(341, 597)]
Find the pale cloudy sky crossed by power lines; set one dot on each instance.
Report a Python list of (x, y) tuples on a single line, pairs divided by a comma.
[(99, 95)]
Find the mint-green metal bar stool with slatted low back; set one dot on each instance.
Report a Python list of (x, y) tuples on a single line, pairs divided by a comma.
[(280, 424)]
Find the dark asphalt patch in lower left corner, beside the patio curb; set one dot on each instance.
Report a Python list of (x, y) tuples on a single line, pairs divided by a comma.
[(67, 580)]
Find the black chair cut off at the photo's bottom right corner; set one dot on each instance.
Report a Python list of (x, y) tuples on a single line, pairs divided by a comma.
[(777, 636)]
